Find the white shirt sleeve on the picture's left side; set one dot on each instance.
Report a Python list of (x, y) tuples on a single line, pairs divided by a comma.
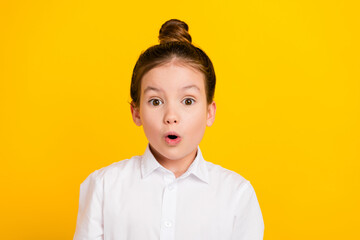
[(89, 224)]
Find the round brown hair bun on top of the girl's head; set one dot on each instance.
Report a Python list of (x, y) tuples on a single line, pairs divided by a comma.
[(174, 30)]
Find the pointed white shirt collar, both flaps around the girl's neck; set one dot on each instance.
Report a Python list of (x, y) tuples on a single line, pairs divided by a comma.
[(197, 168)]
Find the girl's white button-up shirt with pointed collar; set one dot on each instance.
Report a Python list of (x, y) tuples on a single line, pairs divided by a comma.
[(139, 199)]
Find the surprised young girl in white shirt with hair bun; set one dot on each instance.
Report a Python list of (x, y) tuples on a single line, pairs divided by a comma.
[(170, 192)]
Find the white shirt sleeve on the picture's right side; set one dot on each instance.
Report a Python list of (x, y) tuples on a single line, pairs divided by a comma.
[(249, 224)]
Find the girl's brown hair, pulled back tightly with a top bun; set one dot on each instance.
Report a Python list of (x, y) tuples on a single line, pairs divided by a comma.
[(175, 43)]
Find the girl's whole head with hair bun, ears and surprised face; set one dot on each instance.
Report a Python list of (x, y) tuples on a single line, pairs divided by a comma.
[(172, 92)]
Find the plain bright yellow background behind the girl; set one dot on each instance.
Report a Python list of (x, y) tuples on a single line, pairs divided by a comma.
[(288, 105)]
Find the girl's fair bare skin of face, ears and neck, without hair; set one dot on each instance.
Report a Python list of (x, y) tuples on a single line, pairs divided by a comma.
[(173, 99)]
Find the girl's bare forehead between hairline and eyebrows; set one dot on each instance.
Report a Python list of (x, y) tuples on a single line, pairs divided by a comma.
[(173, 76)]
